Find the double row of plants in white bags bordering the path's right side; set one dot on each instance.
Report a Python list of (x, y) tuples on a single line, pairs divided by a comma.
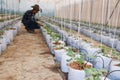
[(78, 63)]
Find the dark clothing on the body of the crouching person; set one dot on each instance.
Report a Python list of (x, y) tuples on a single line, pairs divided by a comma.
[(29, 20)]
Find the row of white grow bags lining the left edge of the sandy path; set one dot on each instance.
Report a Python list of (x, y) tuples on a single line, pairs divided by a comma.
[(7, 33)]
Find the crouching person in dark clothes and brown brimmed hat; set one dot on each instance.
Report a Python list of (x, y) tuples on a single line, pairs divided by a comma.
[(29, 19)]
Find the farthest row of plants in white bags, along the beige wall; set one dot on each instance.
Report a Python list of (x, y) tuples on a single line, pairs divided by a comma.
[(113, 33)]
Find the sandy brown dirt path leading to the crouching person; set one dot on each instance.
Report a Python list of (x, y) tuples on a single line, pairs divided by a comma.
[(28, 58)]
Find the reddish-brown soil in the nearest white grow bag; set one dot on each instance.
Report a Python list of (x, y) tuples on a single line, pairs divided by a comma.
[(75, 65)]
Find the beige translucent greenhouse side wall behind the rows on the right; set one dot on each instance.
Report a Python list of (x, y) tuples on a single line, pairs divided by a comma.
[(96, 11)]
